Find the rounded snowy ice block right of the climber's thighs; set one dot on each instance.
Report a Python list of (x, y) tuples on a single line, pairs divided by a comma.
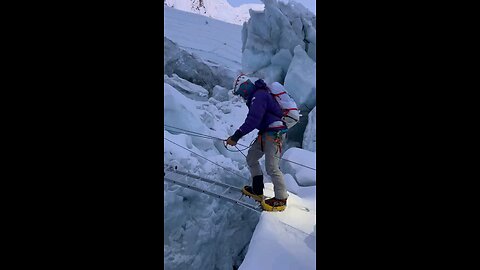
[(304, 176)]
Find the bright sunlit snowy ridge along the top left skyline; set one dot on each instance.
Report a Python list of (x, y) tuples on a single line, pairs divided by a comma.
[(217, 9)]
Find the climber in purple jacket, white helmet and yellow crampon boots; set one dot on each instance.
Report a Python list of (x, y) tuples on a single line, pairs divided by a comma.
[(264, 114)]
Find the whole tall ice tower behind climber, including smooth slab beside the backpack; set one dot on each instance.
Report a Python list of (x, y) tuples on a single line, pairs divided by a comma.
[(279, 44)]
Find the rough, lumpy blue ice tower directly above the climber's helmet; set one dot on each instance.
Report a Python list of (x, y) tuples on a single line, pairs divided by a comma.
[(270, 34)]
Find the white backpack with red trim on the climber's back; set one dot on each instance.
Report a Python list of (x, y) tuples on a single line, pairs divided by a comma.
[(291, 113)]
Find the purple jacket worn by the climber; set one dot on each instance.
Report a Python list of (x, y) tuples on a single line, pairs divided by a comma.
[(263, 110)]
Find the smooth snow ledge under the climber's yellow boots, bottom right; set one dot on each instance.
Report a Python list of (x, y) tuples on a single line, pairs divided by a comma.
[(284, 240)]
